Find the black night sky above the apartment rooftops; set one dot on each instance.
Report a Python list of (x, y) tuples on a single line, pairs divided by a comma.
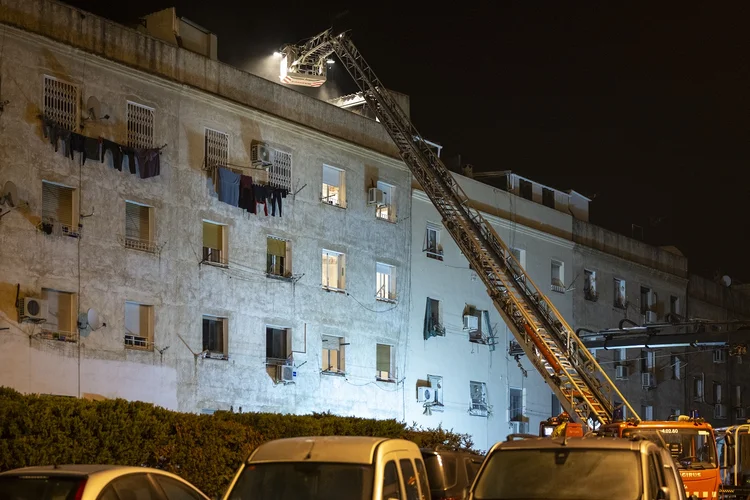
[(644, 105)]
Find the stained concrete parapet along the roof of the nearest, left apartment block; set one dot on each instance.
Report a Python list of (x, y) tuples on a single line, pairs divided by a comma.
[(95, 35)]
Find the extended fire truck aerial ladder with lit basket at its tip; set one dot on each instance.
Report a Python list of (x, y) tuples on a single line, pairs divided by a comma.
[(582, 387)]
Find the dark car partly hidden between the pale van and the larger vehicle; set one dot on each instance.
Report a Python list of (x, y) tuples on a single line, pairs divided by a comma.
[(450, 472)]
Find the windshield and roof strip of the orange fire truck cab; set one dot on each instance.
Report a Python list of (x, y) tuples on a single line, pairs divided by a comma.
[(690, 448)]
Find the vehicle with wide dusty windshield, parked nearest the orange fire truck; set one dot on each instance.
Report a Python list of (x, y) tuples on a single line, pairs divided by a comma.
[(586, 468)]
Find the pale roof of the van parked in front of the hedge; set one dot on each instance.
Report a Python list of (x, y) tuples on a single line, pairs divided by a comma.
[(340, 449)]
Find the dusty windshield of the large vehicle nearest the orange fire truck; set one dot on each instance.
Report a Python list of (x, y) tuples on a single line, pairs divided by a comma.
[(568, 474)]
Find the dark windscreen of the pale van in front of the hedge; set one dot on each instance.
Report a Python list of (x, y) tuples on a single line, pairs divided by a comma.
[(304, 481)]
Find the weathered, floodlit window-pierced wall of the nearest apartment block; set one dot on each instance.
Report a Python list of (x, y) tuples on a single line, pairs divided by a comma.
[(105, 274)]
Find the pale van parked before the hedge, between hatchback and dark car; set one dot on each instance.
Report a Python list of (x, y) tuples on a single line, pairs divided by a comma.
[(332, 468)]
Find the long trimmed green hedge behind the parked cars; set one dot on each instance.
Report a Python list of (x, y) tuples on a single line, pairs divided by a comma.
[(204, 449)]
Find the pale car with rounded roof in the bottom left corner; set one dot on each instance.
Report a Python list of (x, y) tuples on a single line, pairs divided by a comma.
[(95, 482)]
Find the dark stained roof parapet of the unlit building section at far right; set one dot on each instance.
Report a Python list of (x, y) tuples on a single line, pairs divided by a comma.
[(629, 249)]
